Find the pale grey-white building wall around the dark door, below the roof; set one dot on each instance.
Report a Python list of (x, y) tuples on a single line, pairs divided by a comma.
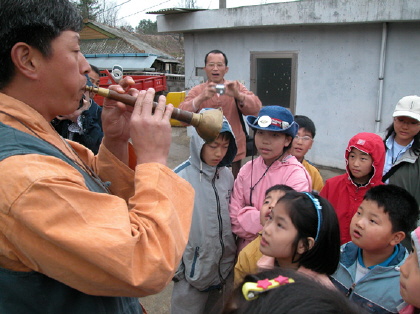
[(337, 73)]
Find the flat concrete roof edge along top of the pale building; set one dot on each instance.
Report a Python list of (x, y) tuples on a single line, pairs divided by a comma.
[(309, 12)]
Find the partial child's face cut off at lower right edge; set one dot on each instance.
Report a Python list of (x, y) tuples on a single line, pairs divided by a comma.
[(410, 279)]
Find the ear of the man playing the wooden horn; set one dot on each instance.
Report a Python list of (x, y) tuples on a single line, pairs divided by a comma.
[(25, 59)]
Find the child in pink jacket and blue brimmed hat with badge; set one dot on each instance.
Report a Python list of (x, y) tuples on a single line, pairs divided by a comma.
[(274, 129)]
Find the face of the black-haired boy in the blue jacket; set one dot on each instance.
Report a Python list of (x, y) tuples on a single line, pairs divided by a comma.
[(371, 228)]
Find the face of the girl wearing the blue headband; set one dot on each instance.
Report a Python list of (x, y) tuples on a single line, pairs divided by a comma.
[(278, 236)]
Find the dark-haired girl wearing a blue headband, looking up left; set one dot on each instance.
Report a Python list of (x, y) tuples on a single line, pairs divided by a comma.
[(301, 233)]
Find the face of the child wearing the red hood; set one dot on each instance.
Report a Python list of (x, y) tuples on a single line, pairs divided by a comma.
[(360, 166)]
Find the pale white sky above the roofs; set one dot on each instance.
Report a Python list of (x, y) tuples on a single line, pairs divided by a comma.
[(132, 11)]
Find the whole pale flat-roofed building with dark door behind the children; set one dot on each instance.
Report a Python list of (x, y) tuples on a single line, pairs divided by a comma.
[(345, 64)]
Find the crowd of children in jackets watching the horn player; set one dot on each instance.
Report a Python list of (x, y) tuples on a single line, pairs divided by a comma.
[(340, 250)]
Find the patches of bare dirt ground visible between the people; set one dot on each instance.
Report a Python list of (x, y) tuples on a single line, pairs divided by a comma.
[(179, 152)]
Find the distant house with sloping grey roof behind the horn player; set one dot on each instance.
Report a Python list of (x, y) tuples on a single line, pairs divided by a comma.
[(105, 46)]
